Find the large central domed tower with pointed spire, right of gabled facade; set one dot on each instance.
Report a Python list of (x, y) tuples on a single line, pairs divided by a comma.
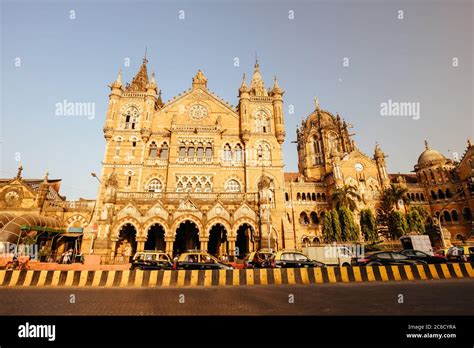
[(321, 138)]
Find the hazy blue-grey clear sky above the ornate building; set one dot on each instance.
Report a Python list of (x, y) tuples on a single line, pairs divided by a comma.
[(353, 55)]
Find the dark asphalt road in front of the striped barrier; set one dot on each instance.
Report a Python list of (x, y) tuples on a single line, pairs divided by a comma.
[(436, 297)]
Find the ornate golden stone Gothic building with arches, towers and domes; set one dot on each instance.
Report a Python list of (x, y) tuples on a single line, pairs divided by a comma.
[(196, 172)]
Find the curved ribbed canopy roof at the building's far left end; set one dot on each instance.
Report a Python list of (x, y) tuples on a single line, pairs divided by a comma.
[(28, 222)]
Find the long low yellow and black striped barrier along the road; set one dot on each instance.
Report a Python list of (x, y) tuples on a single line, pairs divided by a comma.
[(236, 277)]
